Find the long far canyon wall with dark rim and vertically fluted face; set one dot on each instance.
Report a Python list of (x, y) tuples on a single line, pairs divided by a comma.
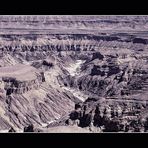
[(70, 42)]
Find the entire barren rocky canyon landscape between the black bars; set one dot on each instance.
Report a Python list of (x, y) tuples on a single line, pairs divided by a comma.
[(73, 73)]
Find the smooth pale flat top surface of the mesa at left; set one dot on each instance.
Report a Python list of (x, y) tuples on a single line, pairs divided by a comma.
[(19, 71)]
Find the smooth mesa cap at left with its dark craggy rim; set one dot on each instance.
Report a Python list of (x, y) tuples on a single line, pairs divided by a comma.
[(19, 79)]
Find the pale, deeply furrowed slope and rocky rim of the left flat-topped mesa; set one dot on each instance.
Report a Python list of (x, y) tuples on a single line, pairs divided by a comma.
[(25, 100)]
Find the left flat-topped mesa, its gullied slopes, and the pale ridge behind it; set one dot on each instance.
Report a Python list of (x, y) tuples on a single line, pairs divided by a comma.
[(30, 91)]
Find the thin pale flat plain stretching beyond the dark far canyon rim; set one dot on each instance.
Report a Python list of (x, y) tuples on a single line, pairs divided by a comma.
[(58, 30)]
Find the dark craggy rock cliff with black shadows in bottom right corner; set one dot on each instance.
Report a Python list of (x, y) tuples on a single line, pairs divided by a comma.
[(110, 115)]
